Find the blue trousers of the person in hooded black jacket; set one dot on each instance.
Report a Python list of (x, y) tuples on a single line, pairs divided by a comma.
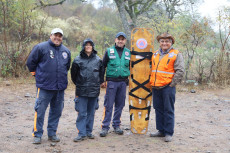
[(85, 106)]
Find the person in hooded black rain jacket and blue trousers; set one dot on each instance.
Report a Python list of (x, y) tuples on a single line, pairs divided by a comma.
[(86, 75)]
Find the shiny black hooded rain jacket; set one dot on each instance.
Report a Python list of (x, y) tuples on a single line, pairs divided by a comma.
[(86, 72)]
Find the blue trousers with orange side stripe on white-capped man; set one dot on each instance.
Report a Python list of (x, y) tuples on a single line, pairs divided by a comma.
[(56, 100)]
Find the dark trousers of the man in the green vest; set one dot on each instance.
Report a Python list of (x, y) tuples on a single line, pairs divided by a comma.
[(115, 95)]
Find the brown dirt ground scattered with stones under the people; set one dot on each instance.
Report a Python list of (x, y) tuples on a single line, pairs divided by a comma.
[(202, 124)]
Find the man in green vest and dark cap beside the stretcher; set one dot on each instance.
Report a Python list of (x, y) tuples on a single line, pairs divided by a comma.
[(116, 63)]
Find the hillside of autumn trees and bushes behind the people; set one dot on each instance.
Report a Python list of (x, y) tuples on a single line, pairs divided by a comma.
[(25, 23)]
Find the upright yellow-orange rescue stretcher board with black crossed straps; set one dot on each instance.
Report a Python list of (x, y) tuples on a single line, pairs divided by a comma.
[(140, 91)]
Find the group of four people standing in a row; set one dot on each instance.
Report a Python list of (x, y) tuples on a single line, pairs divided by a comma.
[(50, 61)]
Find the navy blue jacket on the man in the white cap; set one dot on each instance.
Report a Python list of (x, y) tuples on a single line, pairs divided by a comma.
[(50, 64)]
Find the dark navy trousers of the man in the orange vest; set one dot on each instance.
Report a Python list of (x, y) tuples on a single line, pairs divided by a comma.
[(163, 103)]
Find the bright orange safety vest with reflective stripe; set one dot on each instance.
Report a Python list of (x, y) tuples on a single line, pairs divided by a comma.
[(163, 70)]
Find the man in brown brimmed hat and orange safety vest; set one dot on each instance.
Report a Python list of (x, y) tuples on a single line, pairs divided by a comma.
[(167, 71)]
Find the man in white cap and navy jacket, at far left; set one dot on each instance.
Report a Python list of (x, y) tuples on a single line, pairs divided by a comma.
[(49, 62)]
